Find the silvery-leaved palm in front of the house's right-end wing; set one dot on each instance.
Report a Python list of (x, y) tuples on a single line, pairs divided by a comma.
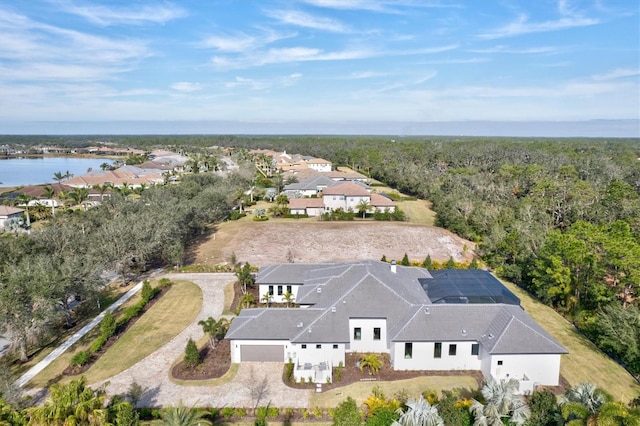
[(502, 401)]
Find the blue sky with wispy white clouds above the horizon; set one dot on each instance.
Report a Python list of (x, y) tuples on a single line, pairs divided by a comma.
[(325, 62)]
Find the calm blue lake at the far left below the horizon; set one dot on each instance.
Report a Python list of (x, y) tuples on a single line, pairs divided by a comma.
[(34, 171)]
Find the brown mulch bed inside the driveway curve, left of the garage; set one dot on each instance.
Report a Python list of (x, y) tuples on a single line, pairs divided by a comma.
[(215, 363)]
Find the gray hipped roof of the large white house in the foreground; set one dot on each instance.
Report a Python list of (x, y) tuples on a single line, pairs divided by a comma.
[(369, 289)]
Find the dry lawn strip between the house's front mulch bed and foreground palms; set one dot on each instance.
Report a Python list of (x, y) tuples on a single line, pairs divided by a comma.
[(414, 387)]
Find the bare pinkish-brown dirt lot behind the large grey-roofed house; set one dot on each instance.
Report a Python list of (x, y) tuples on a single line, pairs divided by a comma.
[(274, 241)]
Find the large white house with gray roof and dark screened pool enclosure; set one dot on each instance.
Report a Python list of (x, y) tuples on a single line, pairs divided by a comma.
[(446, 320)]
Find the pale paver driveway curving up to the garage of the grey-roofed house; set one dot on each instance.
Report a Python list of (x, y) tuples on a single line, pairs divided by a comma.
[(153, 371)]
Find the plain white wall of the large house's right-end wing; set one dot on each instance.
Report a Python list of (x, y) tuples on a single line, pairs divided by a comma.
[(540, 368)]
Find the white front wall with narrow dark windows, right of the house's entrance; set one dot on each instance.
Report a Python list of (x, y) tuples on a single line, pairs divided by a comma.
[(423, 357)]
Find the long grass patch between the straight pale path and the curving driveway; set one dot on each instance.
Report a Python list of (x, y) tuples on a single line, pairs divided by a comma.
[(166, 319)]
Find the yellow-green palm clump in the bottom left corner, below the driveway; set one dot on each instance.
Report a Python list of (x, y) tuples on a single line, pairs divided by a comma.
[(71, 404)]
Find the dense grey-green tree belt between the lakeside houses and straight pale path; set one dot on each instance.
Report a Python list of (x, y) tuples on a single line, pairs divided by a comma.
[(45, 273)]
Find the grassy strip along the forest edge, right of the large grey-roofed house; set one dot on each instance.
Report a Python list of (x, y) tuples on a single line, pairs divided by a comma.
[(585, 362)]
